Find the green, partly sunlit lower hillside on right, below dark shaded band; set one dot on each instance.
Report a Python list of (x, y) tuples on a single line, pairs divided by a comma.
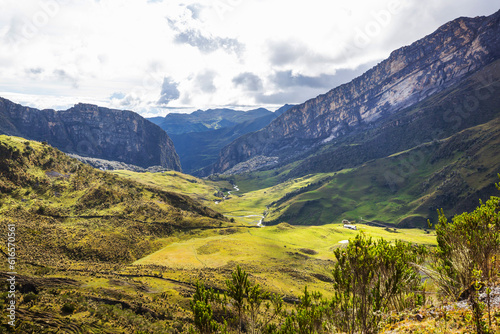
[(405, 188)]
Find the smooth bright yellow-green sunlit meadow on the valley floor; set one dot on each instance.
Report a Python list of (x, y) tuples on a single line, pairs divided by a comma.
[(281, 258)]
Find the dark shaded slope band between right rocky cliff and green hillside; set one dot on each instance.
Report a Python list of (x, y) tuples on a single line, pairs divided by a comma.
[(473, 101)]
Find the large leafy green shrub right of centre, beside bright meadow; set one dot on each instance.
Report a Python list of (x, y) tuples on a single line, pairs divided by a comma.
[(369, 278)]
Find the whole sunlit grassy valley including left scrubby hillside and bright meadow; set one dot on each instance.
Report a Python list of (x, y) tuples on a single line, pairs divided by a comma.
[(120, 252)]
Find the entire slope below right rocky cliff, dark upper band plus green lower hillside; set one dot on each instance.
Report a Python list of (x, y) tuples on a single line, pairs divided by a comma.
[(440, 153)]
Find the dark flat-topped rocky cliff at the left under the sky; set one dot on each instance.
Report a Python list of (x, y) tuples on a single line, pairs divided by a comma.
[(92, 131)]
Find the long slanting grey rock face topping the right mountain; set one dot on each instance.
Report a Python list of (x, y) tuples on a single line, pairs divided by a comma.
[(409, 75)]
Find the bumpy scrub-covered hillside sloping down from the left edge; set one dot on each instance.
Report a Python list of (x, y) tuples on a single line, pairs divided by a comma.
[(80, 213)]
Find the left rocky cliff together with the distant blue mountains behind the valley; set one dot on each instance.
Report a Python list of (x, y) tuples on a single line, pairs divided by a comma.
[(121, 139)]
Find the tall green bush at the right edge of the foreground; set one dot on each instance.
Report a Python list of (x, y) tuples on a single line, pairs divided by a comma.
[(466, 257)]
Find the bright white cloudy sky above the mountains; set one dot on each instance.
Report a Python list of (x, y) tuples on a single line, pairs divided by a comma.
[(156, 57)]
